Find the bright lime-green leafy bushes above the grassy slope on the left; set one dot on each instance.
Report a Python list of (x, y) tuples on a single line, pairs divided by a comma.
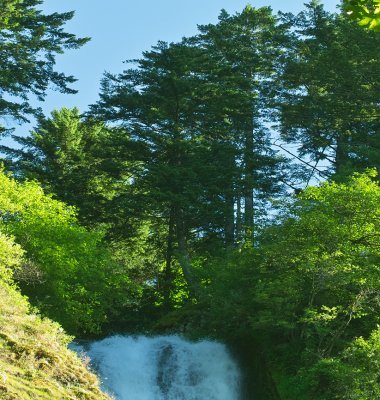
[(68, 273)]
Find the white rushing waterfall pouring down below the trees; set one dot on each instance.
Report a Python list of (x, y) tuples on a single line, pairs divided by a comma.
[(164, 368)]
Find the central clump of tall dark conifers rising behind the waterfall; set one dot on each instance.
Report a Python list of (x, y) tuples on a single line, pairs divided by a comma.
[(195, 112)]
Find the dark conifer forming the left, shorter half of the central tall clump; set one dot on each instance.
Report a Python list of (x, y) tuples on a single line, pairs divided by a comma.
[(153, 102)]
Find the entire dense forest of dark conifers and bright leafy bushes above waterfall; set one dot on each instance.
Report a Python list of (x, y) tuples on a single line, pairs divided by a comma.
[(223, 186)]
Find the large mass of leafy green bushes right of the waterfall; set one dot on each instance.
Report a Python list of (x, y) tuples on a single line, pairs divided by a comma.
[(308, 294)]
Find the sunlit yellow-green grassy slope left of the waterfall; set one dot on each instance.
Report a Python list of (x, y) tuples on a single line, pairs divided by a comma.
[(34, 360)]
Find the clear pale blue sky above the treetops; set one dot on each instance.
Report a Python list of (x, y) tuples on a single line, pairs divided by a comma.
[(123, 29)]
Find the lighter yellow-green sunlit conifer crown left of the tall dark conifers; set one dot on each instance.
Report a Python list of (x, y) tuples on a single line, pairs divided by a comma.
[(72, 158)]
